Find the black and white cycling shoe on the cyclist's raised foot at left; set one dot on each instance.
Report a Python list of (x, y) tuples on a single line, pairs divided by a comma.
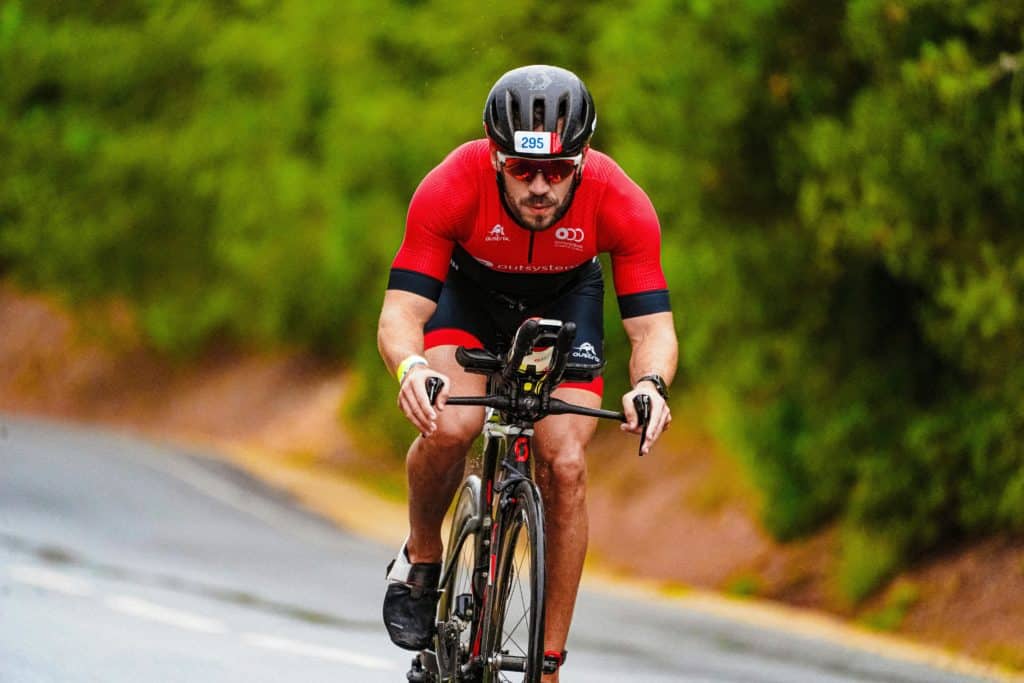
[(411, 602)]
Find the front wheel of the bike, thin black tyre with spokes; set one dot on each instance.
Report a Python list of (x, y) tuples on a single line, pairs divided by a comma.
[(516, 628)]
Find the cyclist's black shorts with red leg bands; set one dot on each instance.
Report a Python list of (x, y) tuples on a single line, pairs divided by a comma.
[(477, 316)]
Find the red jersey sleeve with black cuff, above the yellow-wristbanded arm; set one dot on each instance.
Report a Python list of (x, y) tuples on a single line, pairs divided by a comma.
[(441, 215)]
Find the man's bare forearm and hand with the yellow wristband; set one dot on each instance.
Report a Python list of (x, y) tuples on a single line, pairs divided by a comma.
[(400, 338)]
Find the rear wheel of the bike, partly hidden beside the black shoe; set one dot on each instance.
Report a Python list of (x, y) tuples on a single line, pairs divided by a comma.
[(454, 634)]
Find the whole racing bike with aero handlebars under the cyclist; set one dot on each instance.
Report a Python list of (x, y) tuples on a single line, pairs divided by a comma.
[(491, 611)]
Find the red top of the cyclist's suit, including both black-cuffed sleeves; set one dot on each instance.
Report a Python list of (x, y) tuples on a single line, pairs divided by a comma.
[(458, 203)]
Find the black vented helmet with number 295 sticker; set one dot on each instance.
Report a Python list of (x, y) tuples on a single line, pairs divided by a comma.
[(534, 99)]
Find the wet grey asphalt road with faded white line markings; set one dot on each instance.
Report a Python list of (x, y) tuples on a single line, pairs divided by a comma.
[(125, 561)]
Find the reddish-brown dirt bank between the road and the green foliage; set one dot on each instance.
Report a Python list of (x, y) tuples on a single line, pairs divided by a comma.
[(679, 520)]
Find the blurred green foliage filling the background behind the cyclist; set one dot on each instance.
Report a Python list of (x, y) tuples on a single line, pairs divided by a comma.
[(839, 185)]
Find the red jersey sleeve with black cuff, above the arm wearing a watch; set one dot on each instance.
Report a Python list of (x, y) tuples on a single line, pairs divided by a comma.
[(631, 234)]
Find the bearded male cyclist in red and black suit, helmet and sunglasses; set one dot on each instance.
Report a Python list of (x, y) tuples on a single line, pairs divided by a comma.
[(507, 228)]
